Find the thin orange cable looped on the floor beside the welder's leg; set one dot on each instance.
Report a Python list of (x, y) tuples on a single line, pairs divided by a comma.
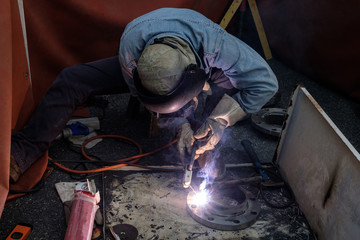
[(124, 161)]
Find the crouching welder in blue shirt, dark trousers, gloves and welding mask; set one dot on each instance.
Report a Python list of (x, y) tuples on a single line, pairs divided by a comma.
[(166, 59)]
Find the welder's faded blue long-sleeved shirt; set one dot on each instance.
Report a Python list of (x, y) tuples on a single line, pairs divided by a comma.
[(213, 47)]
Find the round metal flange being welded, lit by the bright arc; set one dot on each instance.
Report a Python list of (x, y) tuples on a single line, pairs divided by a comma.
[(229, 208)]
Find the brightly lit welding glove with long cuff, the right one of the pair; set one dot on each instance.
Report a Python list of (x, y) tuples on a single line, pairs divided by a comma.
[(226, 113)]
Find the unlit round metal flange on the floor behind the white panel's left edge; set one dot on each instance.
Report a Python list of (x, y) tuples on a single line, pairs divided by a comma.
[(269, 120)]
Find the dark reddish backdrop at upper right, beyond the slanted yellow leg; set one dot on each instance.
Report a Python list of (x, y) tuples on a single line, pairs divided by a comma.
[(319, 38)]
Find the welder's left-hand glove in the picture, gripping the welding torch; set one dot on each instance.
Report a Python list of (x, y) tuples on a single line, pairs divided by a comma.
[(185, 140)]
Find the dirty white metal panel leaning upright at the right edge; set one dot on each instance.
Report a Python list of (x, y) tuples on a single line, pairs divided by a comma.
[(321, 167)]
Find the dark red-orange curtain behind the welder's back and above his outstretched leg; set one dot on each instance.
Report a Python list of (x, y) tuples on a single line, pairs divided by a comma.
[(64, 33)]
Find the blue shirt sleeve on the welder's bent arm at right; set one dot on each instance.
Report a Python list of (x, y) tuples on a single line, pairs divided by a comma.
[(247, 71)]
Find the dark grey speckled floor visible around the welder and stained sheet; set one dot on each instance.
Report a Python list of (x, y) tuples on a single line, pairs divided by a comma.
[(43, 209)]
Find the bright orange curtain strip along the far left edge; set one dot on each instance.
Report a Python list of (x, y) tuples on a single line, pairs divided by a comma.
[(14, 84)]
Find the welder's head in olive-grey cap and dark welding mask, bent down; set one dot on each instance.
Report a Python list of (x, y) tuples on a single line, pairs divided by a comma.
[(167, 78)]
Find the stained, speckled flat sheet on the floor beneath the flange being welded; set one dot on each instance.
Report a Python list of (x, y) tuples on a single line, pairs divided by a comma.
[(155, 203)]
